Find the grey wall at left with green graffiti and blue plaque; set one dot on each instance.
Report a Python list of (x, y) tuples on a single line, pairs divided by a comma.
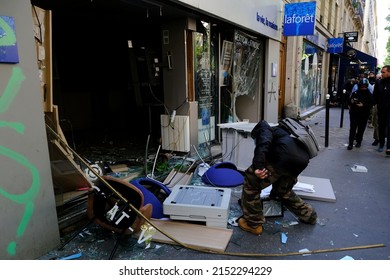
[(27, 205)]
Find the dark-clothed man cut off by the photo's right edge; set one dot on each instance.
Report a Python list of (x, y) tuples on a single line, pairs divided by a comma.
[(382, 101)]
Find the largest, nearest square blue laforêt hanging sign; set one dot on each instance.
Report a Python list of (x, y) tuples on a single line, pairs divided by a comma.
[(299, 19)]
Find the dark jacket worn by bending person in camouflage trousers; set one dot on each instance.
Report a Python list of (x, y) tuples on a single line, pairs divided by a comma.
[(274, 145)]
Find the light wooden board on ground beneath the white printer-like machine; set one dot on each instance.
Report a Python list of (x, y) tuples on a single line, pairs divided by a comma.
[(196, 235)]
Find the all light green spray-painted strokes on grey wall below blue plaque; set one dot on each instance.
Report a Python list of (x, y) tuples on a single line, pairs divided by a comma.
[(27, 198)]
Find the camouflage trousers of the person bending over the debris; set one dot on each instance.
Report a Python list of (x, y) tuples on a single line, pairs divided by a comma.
[(282, 185)]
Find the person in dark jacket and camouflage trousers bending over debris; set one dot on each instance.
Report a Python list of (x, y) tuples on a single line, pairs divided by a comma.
[(278, 160)]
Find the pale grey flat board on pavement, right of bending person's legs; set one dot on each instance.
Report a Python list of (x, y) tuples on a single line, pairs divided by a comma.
[(323, 190)]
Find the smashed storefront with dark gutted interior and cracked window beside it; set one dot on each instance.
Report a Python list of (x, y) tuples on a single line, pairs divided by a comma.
[(194, 62)]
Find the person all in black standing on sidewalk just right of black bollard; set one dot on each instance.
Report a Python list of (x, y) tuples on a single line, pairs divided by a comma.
[(359, 103)]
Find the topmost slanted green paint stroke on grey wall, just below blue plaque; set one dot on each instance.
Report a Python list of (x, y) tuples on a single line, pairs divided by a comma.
[(11, 89)]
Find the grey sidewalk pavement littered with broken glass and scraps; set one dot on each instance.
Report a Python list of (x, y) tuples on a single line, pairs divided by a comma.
[(356, 225)]
